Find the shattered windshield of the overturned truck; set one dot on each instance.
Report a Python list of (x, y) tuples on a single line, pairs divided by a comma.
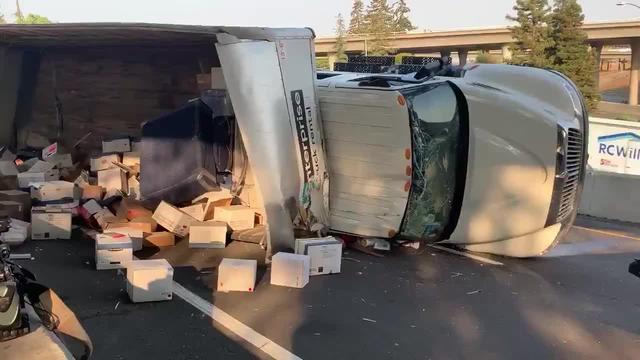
[(438, 143)]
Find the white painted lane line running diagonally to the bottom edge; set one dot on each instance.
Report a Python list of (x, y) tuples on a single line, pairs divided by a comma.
[(248, 334)]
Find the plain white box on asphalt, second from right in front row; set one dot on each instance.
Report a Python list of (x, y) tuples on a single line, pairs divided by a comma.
[(291, 270)]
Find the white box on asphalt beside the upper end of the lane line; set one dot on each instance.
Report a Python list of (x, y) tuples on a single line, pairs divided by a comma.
[(237, 275)]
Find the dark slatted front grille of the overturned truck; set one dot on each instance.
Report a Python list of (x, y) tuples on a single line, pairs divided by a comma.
[(572, 178)]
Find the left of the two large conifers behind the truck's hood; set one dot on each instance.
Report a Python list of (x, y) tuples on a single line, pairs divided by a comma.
[(533, 41)]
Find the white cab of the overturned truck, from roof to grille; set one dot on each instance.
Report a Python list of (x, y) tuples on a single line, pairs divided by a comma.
[(490, 159)]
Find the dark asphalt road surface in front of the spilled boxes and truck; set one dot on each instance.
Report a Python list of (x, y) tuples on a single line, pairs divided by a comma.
[(577, 302)]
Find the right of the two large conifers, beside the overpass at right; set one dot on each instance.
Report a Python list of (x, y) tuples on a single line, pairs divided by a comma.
[(571, 54)]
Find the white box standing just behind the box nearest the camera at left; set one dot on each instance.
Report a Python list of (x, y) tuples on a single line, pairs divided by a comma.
[(113, 251)]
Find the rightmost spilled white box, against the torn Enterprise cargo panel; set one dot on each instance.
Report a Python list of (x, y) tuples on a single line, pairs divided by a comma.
[(325, 254)]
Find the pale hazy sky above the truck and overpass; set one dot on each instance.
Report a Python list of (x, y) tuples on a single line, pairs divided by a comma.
[(430, 15)]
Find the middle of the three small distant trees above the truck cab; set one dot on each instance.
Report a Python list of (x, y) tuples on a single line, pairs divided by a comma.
[(379, 22)]
